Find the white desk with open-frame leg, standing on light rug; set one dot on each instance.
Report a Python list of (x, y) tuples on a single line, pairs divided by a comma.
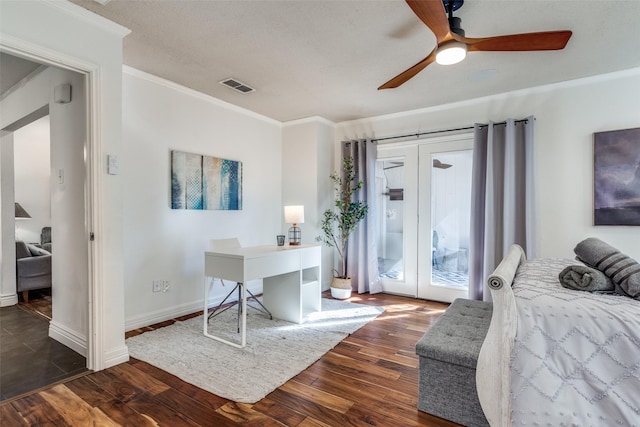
[(291, 280)]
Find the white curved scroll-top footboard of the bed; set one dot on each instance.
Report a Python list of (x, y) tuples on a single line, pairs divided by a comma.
[(493, 373)]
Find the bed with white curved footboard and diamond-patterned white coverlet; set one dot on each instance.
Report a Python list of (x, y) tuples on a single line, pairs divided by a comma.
[(556, 356)]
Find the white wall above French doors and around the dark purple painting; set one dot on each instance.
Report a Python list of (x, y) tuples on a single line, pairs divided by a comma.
[(567, 115)]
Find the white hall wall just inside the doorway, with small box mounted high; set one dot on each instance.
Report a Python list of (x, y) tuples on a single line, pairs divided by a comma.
[(69, 235)]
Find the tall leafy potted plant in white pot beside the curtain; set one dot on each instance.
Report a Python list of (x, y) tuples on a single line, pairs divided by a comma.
[(339, 222)]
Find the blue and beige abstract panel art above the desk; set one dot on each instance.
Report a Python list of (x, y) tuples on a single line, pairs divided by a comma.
[(204, 182)]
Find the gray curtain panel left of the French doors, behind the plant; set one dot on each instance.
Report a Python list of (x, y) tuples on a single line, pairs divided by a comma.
[(362, 254)]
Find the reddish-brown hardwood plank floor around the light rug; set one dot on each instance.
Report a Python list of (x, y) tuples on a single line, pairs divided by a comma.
[(369, 379)]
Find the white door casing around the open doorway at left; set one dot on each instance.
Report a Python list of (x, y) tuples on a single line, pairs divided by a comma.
[(91, 72)]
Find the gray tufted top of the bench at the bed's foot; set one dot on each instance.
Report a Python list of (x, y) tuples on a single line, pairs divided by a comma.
[(458, 334)]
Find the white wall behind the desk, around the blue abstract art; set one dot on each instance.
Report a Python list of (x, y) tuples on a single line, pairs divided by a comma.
[(165, 244)]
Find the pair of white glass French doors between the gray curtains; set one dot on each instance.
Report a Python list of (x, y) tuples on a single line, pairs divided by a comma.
[(424, 216)]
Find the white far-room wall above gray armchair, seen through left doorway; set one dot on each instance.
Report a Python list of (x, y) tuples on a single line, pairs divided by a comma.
[(32, 178)]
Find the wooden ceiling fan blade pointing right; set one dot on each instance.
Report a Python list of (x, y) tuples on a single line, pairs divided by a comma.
[(549, 40)]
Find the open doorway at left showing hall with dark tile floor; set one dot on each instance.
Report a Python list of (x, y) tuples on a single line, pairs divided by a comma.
[(59, 205)]
